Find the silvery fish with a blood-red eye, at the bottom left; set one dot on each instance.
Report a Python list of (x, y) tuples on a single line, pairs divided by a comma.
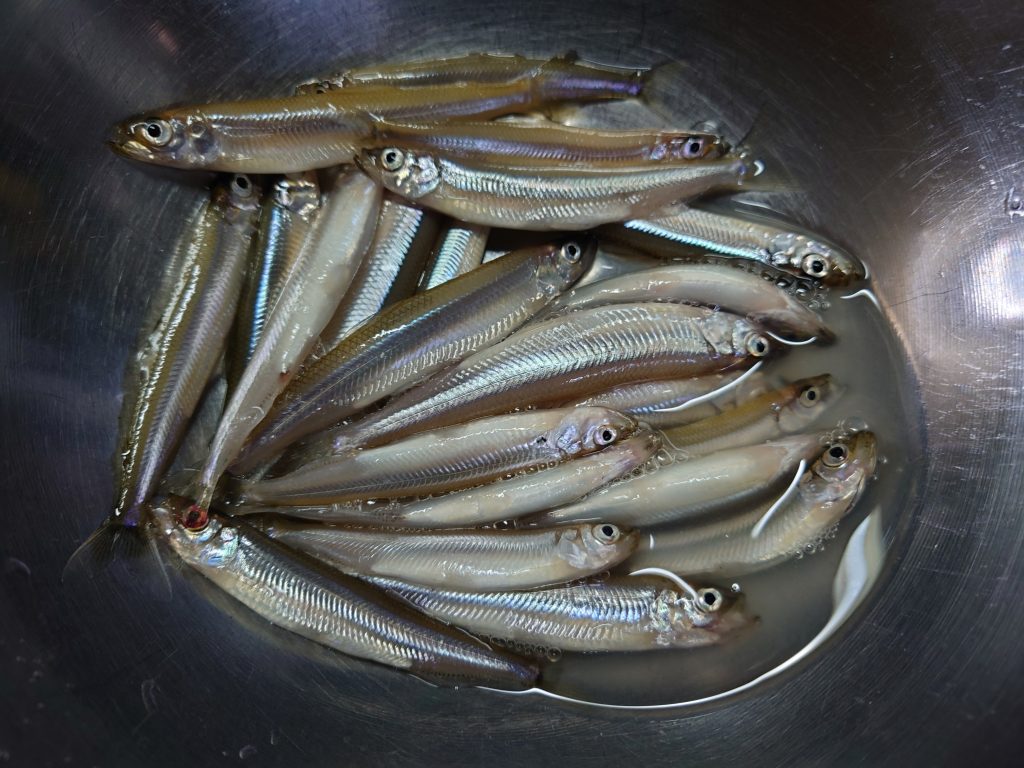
[(311, 600)]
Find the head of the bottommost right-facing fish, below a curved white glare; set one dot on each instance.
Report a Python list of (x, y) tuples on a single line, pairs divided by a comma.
[(705, 619)]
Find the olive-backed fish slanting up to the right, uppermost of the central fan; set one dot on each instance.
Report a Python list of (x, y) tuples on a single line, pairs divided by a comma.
[(415, 338)]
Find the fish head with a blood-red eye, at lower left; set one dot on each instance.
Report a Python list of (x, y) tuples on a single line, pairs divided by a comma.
[(200, 538)]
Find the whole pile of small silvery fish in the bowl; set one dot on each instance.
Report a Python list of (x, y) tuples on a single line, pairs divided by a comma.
[(482, 368)]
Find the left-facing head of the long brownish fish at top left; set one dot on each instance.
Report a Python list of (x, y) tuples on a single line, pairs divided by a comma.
[(180, 139)]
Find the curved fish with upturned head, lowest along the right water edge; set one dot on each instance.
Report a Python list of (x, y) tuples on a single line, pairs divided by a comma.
[(775, 532)]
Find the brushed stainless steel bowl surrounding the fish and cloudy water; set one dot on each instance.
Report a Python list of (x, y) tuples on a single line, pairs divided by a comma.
[(904, 125)]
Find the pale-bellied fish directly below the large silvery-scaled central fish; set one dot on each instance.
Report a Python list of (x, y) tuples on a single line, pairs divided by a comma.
[(448, 459)]
